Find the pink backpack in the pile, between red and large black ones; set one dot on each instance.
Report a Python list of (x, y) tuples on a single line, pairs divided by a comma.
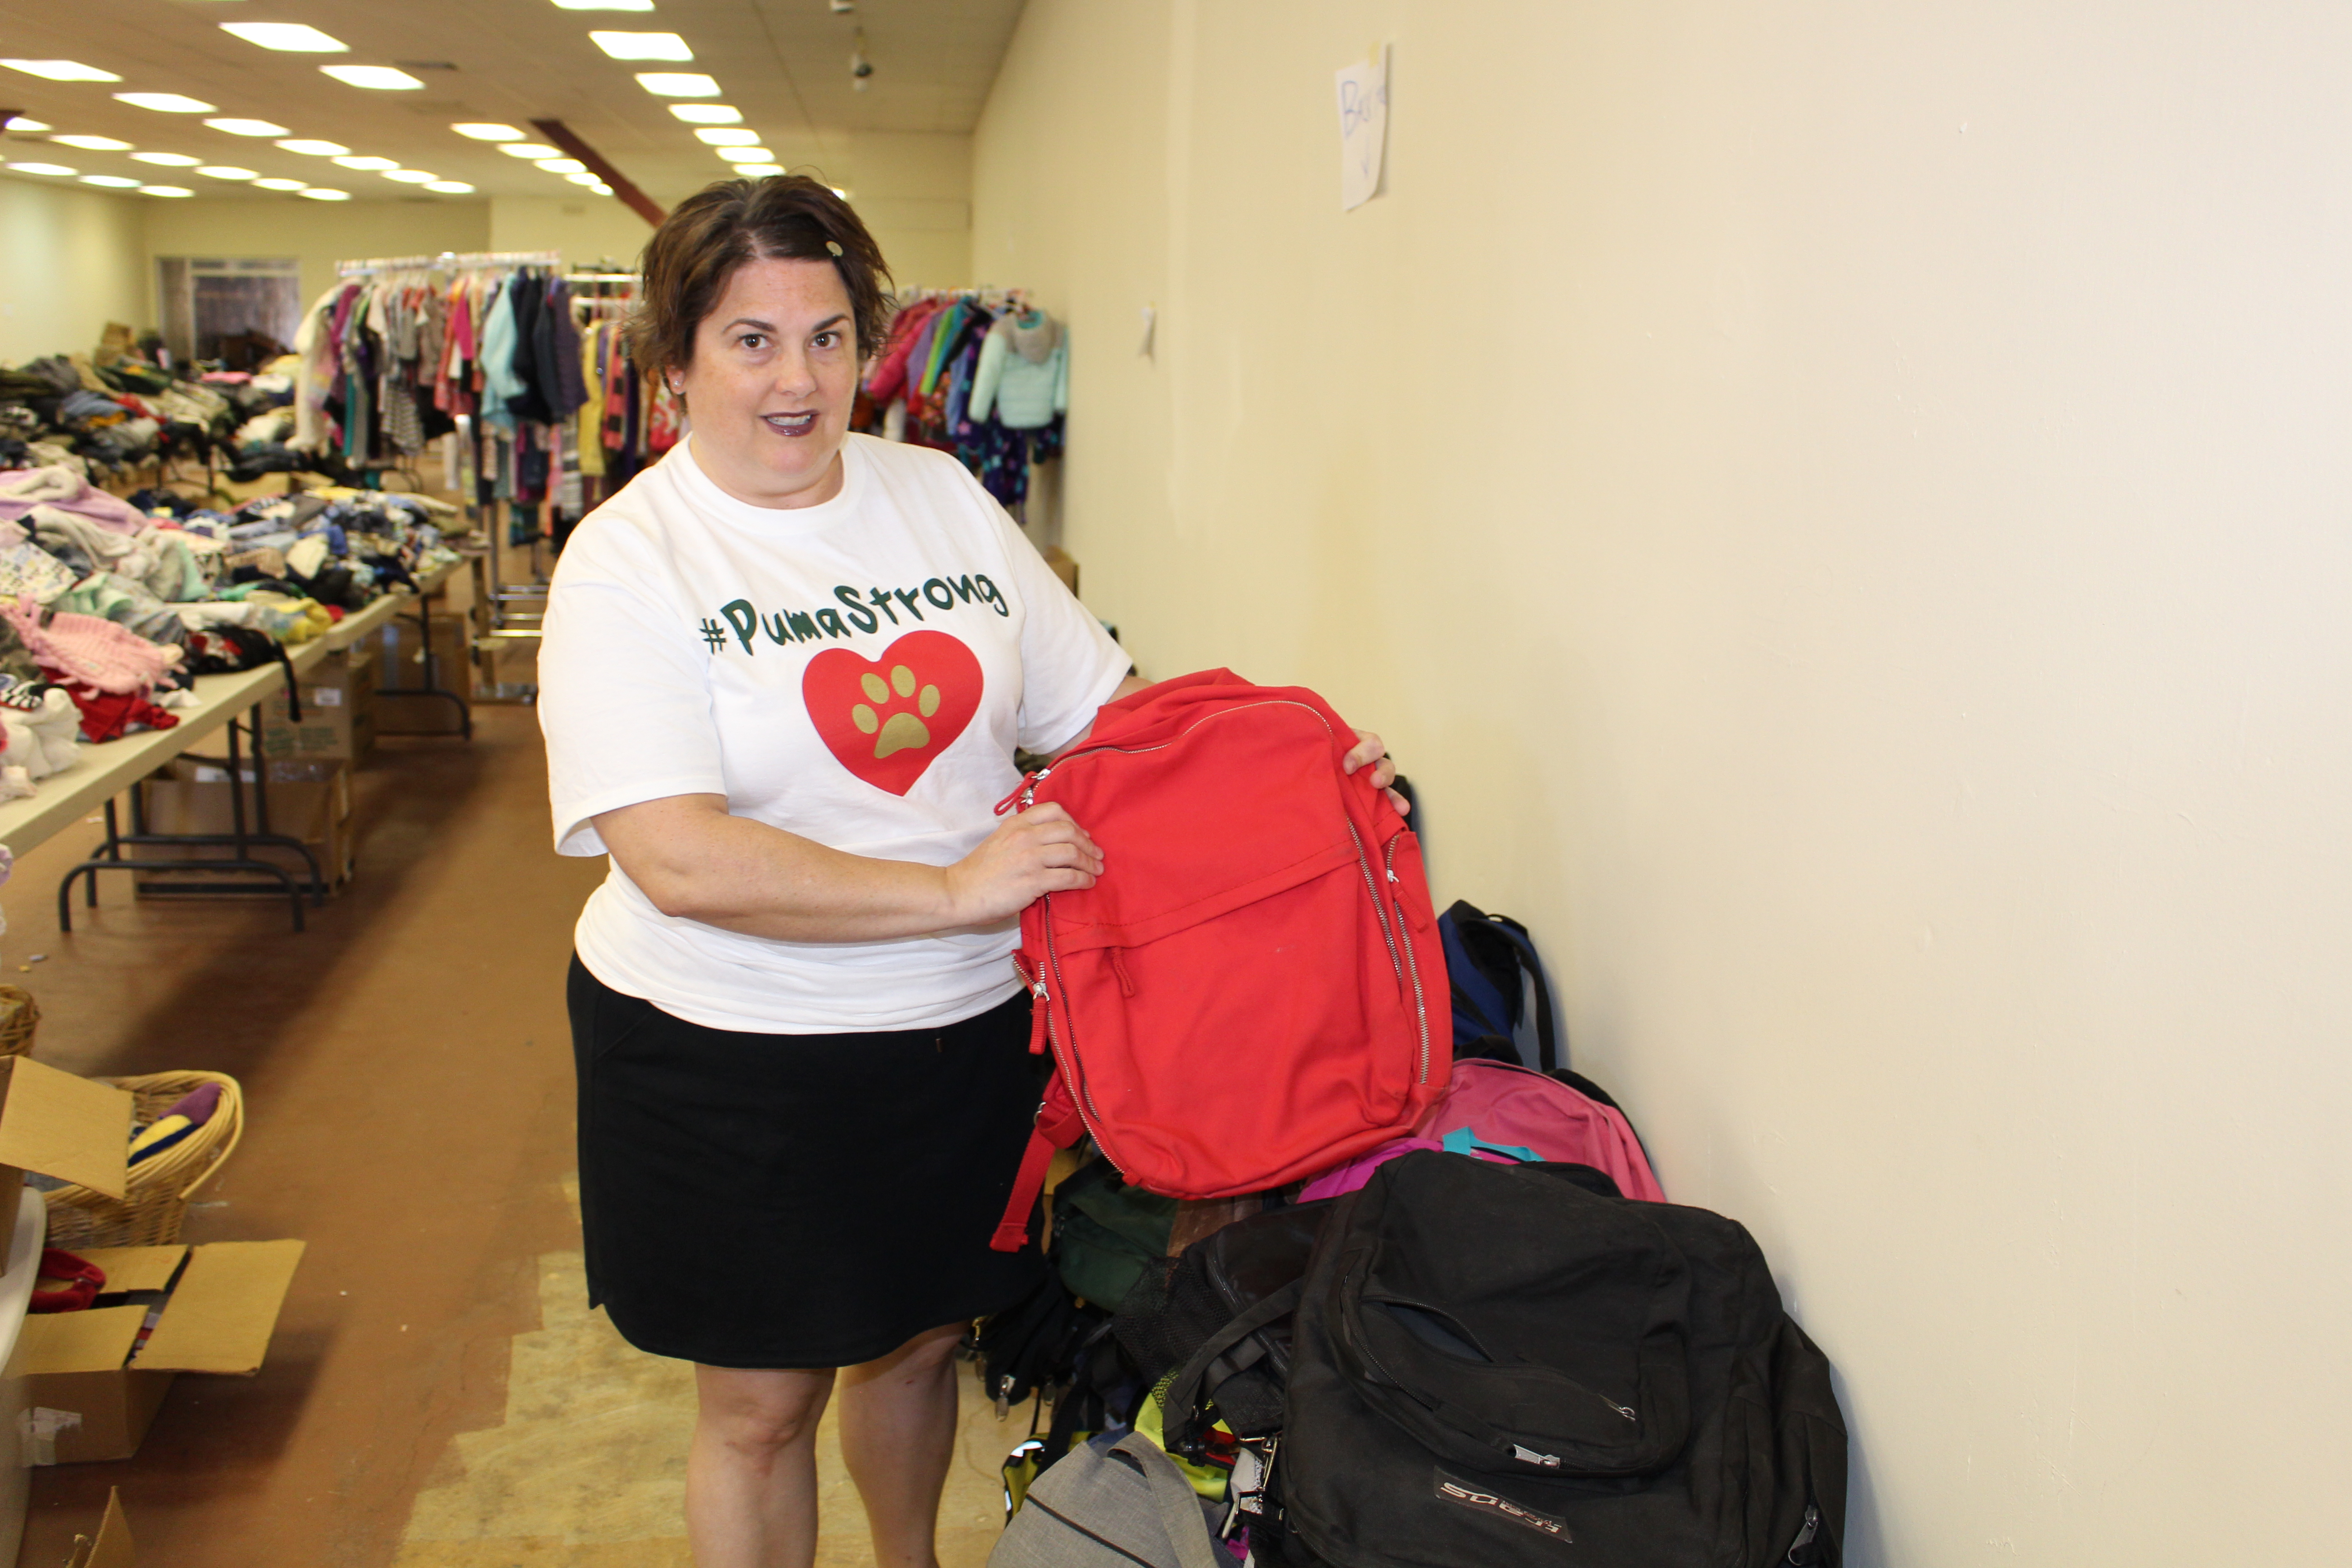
[(1514, 1115)]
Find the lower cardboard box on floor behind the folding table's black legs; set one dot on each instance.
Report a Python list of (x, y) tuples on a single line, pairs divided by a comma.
[(309, 800)]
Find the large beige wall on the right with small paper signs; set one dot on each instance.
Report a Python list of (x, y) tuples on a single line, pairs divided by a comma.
[(1843, 511)]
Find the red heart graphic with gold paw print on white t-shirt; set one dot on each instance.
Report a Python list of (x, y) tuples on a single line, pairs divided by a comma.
[(888, 718)]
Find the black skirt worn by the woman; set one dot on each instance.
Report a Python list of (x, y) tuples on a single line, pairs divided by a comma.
[(796, 1200)]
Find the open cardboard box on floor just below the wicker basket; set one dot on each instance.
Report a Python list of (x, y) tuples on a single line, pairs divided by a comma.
[(93, 1388)]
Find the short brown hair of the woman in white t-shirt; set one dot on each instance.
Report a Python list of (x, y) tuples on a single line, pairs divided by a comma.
[(784, 217)]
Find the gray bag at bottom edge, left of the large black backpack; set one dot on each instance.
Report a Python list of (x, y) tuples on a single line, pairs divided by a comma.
[(1111, 1510)]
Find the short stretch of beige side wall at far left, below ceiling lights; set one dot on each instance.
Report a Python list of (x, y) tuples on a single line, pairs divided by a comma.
[(69, 264)]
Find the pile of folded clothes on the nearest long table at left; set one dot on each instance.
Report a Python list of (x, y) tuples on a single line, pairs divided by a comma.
[(112, 608)]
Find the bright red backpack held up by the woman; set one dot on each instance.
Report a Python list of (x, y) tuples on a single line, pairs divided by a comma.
[(1255, 989)]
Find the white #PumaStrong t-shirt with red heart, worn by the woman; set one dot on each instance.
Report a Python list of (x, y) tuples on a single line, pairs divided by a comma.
[(855, 671)]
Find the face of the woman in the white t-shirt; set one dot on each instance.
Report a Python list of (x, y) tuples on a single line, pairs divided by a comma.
[(773, 380)]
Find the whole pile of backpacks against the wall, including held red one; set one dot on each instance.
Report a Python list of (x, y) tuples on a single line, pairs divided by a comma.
[(1342, 1278)]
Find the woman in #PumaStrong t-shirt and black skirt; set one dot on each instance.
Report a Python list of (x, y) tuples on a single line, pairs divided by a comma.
[(782, 685)]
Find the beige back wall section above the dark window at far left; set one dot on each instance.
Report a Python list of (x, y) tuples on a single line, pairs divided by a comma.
[(319, 234)]
